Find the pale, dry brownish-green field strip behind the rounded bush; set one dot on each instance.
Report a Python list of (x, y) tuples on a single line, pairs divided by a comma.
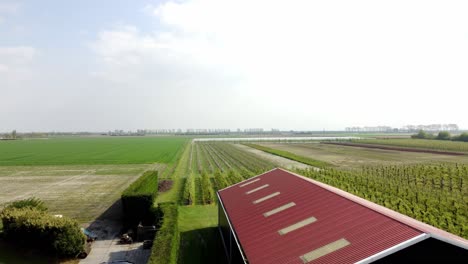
[(77, 191)]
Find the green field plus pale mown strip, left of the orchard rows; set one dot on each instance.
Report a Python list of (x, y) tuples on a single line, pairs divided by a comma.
[(80, 177)]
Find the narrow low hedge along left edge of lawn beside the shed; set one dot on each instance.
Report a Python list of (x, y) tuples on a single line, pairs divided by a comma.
[(166, 244)]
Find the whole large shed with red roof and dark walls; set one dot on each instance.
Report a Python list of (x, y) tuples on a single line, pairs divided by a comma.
[(281, 217)]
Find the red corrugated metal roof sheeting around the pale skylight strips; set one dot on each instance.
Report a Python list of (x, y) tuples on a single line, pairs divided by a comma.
[(368, 232)]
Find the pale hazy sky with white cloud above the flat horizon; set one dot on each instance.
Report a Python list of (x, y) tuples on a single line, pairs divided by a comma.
[(305, 65)]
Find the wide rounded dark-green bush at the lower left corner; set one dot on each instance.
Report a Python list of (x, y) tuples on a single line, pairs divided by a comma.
[(36, 228)]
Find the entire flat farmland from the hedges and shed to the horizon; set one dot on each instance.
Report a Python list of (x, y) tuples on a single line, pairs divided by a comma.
[(416, 184)]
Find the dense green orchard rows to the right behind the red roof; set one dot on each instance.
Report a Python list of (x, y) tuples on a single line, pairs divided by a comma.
[(435, 194)]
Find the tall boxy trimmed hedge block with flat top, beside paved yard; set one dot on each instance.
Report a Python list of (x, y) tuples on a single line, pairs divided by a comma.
[(139, 197)]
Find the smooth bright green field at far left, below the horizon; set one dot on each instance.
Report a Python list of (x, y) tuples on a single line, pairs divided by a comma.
[(90, 150)]
